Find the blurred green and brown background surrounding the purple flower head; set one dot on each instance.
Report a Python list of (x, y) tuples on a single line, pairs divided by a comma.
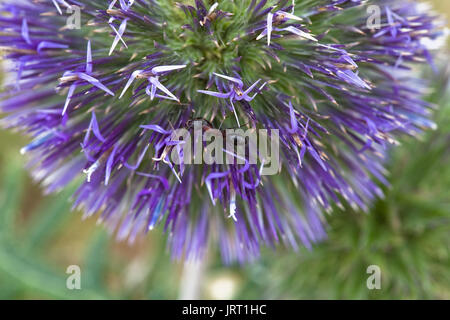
[(407, 235)]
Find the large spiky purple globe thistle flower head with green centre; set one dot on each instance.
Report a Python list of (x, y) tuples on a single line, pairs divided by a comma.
[(101, 103)]
